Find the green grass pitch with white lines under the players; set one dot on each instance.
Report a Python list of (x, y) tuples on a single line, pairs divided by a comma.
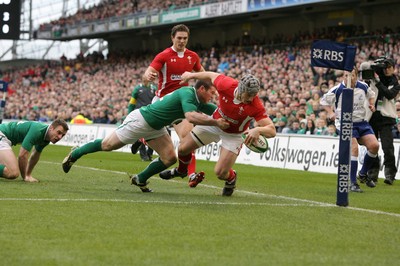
[(93, 216)]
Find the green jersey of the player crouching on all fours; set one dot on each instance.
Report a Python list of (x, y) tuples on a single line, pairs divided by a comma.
[(26, 133)]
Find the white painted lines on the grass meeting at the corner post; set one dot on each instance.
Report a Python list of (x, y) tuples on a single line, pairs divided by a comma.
[(310, 202)]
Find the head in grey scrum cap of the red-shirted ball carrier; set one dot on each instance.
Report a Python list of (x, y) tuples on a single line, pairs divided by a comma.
[(247, 89)]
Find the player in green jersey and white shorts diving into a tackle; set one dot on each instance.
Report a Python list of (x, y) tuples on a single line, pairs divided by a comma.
[(149, 123)]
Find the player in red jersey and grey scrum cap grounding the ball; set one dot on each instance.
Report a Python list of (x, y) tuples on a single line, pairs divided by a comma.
[(238, 104)]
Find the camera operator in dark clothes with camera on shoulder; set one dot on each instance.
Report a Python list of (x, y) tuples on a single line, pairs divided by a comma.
[(381, 78)]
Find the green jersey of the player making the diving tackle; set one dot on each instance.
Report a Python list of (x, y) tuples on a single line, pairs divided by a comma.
[(172, 107)]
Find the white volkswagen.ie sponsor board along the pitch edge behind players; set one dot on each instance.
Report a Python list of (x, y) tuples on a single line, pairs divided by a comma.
[(297, 152)]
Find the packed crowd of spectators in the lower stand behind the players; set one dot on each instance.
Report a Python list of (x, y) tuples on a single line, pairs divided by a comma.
[(99, 86)]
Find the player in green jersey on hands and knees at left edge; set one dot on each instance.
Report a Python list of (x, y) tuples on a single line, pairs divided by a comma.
[(31, 135)]
